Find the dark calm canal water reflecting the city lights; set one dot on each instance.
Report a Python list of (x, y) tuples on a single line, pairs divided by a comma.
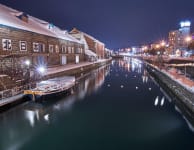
[(114, 107)]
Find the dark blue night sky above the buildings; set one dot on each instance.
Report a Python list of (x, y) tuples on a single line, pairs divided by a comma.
[(117, 23)]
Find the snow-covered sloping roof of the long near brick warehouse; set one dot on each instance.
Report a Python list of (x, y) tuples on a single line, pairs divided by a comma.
[(9, 17)]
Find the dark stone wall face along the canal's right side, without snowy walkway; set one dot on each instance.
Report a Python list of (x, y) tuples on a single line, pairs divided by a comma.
[(174, 88)]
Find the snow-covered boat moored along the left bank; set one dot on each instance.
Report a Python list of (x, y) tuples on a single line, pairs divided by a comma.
[(51, 88)]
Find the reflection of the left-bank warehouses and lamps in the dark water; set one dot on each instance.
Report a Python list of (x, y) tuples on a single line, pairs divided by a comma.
[(87, 84)]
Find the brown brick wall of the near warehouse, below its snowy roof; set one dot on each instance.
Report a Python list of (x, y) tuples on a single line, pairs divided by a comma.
[(44, 55)]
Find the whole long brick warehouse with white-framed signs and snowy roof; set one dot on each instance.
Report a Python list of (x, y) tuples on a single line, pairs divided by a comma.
[(25, 37)]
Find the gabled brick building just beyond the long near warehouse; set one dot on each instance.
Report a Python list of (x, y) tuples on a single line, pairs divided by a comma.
[(91, 43)]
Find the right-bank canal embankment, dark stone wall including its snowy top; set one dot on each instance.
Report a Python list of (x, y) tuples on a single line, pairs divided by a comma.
[(180, 92)]
